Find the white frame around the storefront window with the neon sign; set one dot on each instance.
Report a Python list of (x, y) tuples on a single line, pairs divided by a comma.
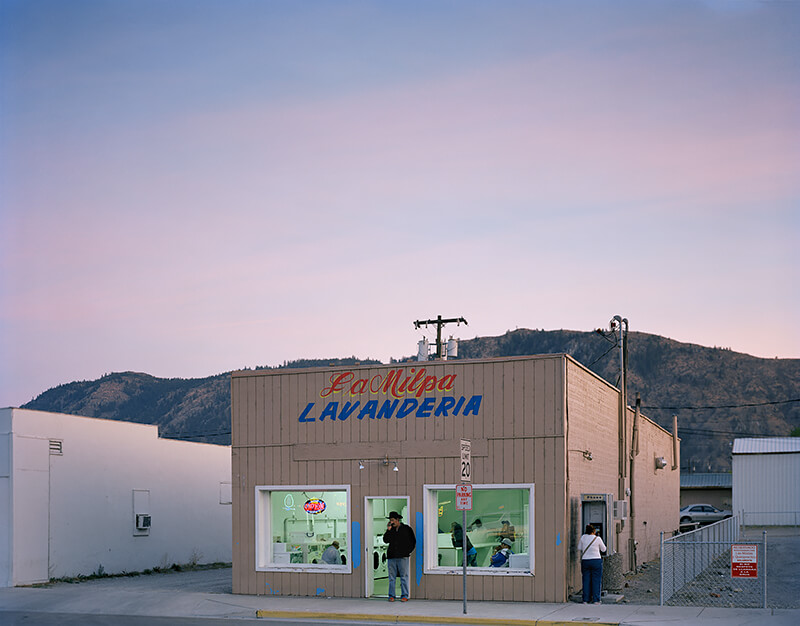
[(264, 534)]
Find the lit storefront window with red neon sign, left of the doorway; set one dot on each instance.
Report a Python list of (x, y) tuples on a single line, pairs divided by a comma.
[(302, 527)]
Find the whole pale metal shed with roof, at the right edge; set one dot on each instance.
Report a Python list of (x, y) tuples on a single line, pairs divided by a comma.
[(766, 490)]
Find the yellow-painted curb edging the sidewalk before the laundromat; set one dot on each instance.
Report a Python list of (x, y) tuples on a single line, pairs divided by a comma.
[(424, 619)]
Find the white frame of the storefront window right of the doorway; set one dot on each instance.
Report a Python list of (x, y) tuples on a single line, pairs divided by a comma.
[(430, 512)]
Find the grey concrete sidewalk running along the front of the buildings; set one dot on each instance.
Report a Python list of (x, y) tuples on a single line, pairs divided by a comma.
[(179, 595)]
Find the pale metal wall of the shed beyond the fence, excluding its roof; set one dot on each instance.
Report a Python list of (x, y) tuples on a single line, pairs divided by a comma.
[(766, 488)]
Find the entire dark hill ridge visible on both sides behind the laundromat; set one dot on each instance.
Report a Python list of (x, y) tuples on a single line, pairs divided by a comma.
[(716, 393)]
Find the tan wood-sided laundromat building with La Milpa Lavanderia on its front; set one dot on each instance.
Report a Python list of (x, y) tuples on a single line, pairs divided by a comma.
[(323, 455)]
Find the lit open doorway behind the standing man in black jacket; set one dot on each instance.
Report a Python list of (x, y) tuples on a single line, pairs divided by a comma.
[(376, 513)]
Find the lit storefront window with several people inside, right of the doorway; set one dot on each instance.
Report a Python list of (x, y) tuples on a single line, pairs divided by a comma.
[(499, 512)]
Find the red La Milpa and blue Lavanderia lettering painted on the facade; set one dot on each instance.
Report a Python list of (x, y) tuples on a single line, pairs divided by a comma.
[(404, 391)]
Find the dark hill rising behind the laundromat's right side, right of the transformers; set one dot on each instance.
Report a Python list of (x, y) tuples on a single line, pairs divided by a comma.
[(675, 378)]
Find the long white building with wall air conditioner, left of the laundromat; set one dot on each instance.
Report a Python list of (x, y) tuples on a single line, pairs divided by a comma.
[(80, 495)]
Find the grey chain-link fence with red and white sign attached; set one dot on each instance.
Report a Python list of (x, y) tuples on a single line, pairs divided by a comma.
[(712, 566)]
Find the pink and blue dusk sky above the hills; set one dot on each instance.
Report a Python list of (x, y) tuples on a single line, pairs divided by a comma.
[(191, 191)]
